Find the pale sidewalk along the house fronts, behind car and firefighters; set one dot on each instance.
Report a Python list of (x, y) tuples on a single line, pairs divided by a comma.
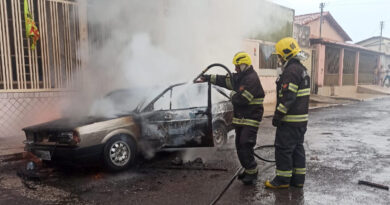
[(11, 146)]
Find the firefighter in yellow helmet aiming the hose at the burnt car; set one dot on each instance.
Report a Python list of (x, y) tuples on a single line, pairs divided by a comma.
[(247, 97)]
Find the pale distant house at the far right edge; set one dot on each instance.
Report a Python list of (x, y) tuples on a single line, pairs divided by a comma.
[(380, 44)]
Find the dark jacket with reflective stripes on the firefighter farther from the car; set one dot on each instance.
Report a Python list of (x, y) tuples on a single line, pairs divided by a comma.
[(293, 92)]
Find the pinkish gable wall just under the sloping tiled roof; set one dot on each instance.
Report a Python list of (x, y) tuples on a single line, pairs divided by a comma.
[(328, 32)]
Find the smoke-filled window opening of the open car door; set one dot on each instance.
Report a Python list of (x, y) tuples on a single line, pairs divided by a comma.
[(189, 96)]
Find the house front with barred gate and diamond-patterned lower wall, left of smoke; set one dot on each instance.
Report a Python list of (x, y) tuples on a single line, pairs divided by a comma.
[(34, 83)]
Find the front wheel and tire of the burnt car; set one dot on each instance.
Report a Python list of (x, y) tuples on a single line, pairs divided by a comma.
[(119, 152)]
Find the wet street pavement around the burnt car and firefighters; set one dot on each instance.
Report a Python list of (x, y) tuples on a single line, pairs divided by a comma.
[(344, 144)]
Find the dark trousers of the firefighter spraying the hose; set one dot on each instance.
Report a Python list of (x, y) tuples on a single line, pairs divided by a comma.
[(245, 141)]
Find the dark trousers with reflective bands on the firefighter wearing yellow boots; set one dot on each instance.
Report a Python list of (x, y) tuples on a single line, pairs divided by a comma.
[(290, 154)]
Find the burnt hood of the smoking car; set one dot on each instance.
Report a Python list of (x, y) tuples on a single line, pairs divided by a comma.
[(65, 124)]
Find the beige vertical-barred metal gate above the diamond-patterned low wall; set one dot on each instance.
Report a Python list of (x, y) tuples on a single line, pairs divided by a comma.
[(55, 60)]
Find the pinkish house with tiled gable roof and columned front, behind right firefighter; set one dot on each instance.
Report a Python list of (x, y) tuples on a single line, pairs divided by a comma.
[(339, 66)]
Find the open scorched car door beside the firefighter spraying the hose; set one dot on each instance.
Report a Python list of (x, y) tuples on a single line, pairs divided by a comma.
[(189, 124)]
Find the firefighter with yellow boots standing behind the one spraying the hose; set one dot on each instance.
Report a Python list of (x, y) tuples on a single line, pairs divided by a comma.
[(291, 117)]
